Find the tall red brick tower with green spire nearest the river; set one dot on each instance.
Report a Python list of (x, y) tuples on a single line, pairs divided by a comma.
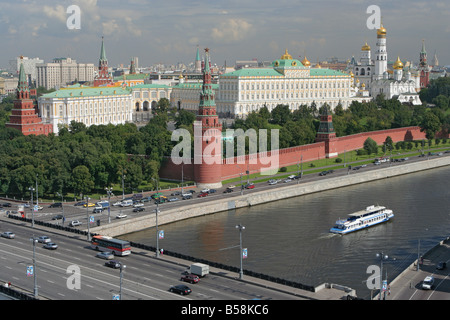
[(207, 135)]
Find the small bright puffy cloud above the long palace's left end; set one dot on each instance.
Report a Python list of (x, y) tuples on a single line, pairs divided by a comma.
[(231, 30)]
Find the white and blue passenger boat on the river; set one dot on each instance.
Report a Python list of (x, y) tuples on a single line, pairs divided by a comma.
[(362, 219)]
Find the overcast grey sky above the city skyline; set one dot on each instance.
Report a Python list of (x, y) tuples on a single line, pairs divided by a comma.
[(168, 31)]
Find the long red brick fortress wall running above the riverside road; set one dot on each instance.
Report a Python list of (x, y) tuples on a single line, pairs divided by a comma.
[(232, 168)]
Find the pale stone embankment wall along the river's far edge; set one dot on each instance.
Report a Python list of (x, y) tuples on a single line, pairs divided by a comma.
[(254, 198)]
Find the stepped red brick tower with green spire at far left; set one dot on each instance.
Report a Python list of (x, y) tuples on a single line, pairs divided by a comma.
[(24, 115)]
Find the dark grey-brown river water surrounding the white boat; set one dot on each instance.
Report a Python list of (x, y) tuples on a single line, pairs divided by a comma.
[(290, 238)]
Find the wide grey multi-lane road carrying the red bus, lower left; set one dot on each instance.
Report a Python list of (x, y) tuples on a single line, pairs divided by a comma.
[(73, 271)]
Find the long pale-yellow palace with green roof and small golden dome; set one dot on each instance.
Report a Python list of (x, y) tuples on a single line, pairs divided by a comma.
[(288, 81)]
